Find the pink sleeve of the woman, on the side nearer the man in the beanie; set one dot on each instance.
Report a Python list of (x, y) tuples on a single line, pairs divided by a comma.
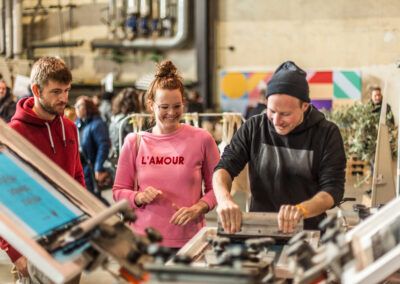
[(211, 158)]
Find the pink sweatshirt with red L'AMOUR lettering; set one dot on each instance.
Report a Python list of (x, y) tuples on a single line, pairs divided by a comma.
[(176, 164)]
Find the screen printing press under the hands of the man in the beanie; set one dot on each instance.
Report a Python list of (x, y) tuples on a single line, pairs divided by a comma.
[(256, 254)]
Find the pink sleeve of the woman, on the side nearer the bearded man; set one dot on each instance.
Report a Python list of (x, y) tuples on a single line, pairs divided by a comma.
[(124, 183)]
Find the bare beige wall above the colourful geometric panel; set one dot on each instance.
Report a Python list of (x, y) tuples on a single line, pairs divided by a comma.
[(318, 35)]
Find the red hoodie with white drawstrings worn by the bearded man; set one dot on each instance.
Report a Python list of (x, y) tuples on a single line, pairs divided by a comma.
[(57, 139)]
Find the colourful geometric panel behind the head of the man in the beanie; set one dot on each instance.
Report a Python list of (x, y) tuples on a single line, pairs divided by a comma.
[(238, 90)]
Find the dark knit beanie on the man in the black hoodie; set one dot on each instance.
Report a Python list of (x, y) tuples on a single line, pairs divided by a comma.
[(291, 80)]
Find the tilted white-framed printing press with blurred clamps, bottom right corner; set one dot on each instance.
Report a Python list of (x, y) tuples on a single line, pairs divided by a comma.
[(369, 253)]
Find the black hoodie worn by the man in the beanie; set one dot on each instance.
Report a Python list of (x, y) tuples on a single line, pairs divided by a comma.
[(288, 169)]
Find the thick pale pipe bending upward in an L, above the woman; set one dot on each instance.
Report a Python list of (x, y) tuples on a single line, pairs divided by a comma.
[(150, 43)]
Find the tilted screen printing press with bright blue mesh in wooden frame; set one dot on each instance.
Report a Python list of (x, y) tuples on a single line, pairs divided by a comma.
[(58, 225)]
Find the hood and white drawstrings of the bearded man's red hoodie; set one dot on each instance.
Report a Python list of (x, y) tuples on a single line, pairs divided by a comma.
[(25, 114)]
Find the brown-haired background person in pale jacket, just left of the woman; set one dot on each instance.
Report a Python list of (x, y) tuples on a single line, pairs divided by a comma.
[(126, 102)]
